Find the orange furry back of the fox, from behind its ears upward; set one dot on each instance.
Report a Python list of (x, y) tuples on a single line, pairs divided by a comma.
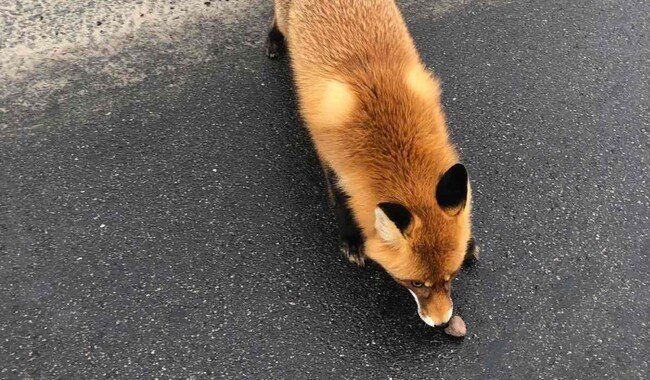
[(371, 107)]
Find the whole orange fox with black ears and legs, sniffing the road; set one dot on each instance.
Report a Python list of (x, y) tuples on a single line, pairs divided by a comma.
[(373, 110)]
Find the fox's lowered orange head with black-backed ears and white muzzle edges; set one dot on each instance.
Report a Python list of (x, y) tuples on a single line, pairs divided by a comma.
[(423, 246)]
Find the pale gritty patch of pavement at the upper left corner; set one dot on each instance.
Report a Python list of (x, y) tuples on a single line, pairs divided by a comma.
[(92, 37)]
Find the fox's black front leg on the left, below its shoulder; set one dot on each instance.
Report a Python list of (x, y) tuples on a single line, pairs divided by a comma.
[(350, 238)]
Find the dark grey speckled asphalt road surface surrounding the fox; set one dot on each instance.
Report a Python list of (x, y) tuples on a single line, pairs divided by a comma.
[(176, 226)]
